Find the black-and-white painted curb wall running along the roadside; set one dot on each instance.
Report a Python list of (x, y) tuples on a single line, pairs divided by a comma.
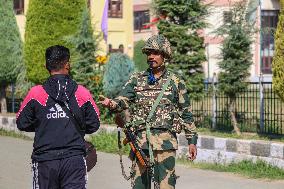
[(210, 149)]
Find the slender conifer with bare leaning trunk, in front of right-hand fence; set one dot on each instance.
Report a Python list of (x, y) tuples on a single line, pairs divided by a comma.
[(236, 57)]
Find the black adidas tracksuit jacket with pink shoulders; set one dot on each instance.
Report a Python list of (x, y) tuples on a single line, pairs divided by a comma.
[(42, 112)]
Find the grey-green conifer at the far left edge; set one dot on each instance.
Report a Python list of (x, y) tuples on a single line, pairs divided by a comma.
[(10, 49)]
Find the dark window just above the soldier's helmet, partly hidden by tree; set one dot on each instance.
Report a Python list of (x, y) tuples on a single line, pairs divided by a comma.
[(141, 18)]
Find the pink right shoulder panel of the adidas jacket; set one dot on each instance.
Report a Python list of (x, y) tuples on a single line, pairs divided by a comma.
[(83, 95)]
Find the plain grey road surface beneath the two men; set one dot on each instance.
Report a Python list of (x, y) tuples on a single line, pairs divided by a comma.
[(15, 172)]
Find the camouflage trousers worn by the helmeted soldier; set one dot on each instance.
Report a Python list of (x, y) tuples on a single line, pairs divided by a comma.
[(164, 171)]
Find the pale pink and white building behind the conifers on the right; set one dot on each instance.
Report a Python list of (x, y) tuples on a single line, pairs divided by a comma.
[(266, 15)]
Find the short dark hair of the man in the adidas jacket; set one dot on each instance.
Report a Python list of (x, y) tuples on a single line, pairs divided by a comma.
[(56, 57)]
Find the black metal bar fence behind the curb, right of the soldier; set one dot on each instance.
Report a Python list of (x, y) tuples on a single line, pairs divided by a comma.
[(258, 109)]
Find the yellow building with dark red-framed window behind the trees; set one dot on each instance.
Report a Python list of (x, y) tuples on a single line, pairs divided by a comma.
[(120, 27)]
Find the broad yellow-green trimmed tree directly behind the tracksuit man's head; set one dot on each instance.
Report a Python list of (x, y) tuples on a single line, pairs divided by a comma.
[(48, 22)]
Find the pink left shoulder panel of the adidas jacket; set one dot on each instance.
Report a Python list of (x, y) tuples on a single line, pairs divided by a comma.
[(36, 93)]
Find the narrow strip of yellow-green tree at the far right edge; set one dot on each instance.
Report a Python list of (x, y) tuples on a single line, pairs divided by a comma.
[(278, 59)]
